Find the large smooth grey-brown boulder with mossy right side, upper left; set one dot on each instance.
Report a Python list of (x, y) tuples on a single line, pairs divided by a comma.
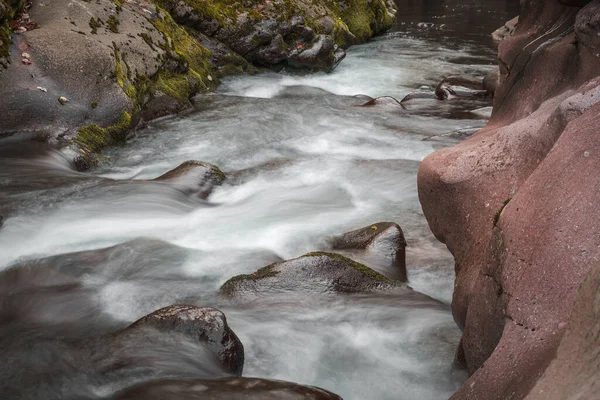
[(113, 59)]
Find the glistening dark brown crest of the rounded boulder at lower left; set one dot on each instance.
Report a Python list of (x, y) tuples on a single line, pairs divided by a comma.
[(204, 325)]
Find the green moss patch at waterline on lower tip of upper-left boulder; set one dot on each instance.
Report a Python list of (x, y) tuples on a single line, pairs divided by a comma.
[(94, 138)]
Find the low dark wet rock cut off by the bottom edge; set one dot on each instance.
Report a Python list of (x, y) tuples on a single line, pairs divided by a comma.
[(224, 389)]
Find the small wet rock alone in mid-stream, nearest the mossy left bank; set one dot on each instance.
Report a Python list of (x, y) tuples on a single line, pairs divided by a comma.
[(194, 176)]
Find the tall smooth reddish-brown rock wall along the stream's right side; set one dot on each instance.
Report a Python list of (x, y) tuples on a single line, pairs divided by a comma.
[(515, 203)]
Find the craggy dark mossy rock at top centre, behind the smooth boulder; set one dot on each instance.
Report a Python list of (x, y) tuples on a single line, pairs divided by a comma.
[(277, 33)]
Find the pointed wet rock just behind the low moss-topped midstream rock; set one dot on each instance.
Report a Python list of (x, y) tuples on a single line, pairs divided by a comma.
[(381, 246)]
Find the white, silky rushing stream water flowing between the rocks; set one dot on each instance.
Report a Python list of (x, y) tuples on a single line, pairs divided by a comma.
[(305, 162)]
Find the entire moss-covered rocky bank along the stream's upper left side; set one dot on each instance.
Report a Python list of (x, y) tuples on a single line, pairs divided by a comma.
[(92, 71)]
